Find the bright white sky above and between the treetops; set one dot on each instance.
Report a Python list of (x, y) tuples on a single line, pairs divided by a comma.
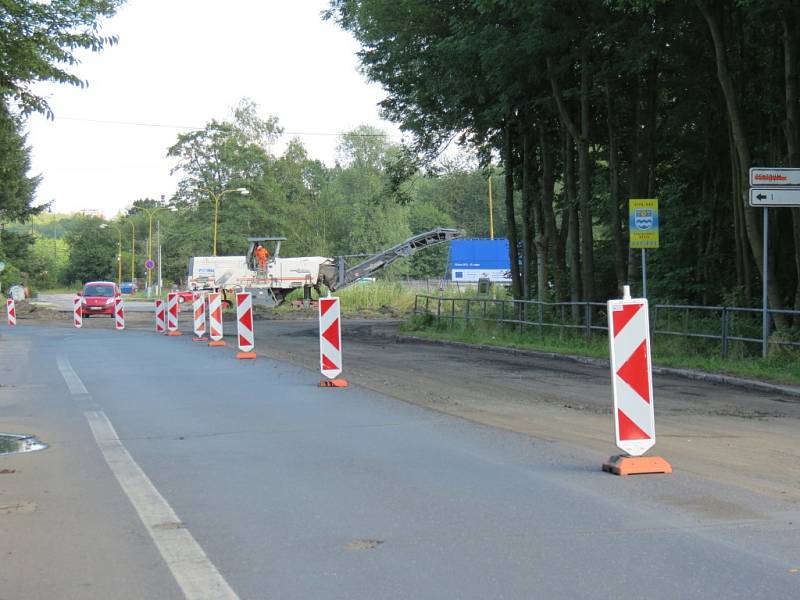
[(179, 64)]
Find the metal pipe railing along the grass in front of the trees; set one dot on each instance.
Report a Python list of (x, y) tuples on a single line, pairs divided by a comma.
[(720, 323)]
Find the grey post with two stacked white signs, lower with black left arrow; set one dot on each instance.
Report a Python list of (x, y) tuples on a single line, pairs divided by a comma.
[(775, 188)]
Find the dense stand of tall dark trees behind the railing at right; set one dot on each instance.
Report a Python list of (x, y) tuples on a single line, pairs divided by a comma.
[(621, 86)]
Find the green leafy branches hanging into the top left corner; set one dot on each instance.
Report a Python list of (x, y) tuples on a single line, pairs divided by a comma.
[(39, 40)]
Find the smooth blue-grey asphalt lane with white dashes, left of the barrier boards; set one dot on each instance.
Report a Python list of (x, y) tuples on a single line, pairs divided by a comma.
[(174, 468)]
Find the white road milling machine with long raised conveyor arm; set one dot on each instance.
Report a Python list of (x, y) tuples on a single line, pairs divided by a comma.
[(280, 276)]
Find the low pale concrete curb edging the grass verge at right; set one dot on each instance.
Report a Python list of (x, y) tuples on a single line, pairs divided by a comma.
[(748, 384)]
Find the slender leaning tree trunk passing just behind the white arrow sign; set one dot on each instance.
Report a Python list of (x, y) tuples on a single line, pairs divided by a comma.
[(751, 220)]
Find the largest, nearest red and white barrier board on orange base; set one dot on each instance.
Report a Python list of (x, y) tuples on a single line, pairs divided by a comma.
[(632, 387)]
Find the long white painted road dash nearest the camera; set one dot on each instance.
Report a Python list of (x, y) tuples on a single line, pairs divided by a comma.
[(196, 575)]
